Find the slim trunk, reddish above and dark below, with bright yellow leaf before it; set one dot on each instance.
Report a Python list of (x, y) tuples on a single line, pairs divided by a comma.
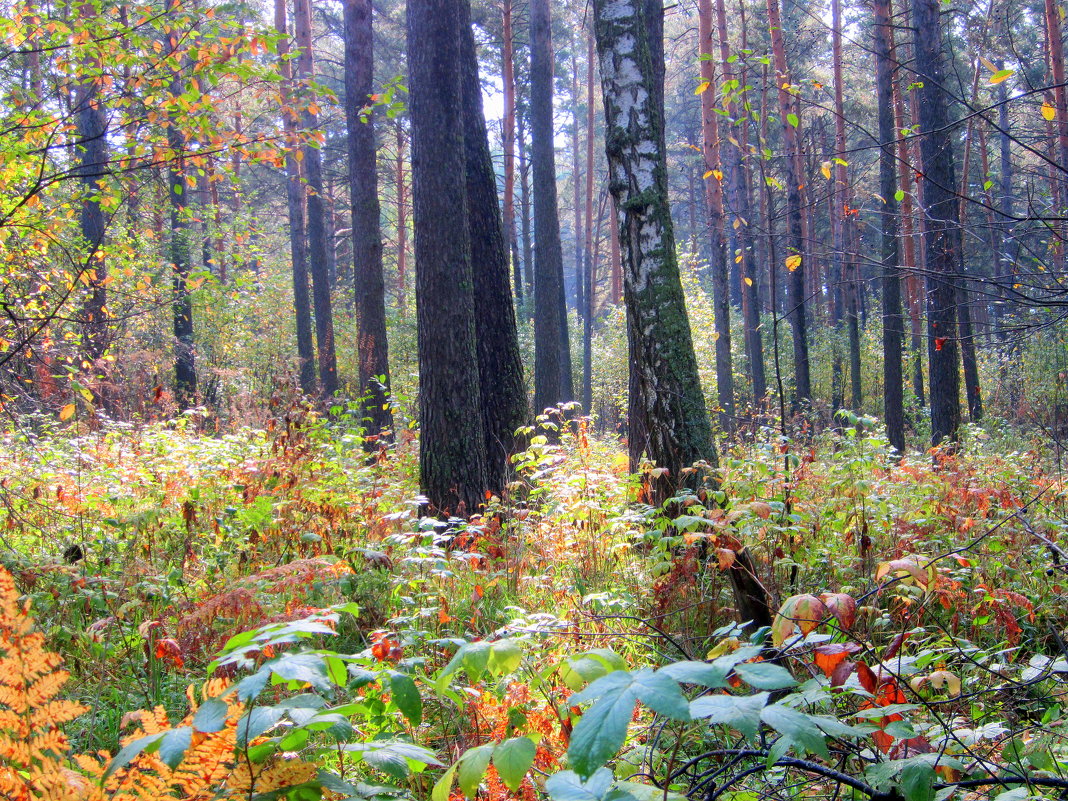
[(795, 260)]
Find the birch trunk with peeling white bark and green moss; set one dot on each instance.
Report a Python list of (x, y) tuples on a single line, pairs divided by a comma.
[(674, 422)]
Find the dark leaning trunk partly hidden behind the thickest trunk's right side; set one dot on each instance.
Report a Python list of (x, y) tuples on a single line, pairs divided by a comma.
[(504, 397)]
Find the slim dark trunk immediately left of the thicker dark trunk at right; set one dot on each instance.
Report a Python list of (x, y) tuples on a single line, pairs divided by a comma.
[(893, 322)]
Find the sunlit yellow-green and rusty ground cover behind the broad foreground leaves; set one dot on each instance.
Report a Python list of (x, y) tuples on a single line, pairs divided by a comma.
[(143, 551)]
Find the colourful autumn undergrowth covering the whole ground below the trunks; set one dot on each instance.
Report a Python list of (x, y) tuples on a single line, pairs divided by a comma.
[(920, 634)]
